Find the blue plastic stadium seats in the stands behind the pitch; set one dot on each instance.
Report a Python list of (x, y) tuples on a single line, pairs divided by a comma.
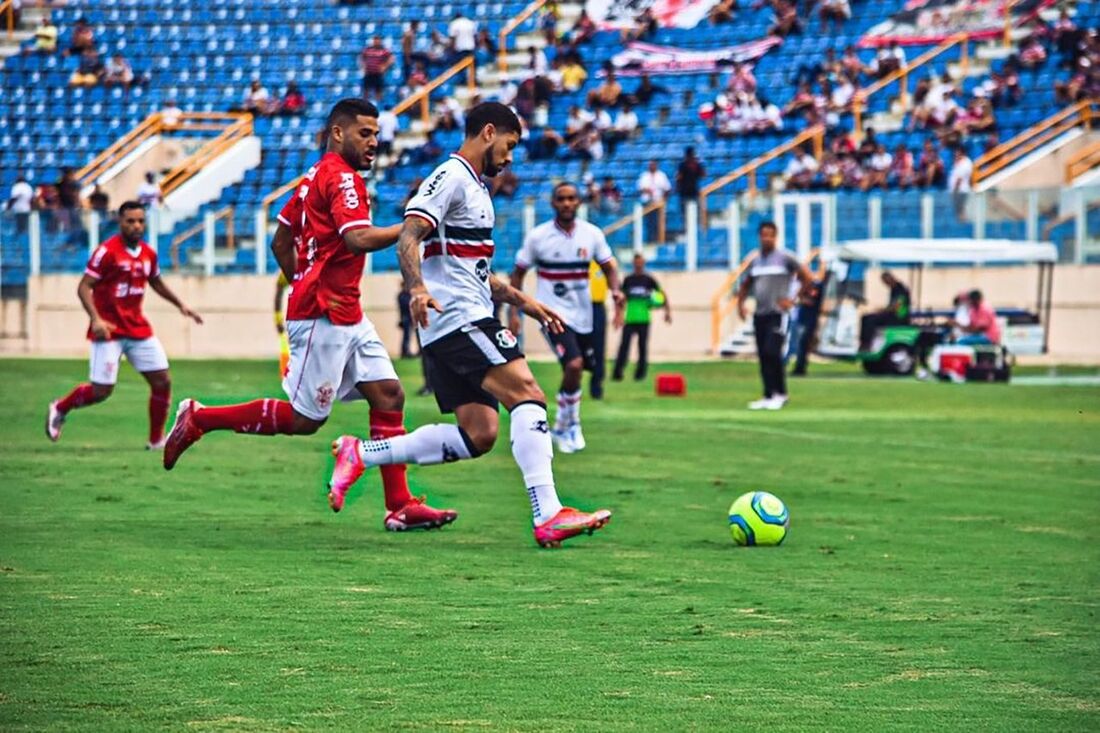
[(205, 60)]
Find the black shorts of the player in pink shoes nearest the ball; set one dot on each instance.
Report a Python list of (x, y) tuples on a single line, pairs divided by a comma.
[(458, 363)]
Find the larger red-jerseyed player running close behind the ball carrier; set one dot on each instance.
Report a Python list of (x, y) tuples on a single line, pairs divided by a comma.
[(336, 353)]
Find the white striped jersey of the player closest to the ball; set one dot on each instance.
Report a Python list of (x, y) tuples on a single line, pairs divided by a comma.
[(457, 257)]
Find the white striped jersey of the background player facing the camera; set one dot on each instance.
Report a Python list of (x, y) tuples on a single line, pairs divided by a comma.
[(562, 261)]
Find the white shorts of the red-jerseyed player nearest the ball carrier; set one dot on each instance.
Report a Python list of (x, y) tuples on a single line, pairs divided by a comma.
[(328, 362)]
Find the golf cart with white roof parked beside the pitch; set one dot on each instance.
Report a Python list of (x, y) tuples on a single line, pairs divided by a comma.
[(896, 349)]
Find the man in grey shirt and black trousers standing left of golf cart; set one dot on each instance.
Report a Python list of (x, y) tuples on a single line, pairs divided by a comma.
[(769, 281)]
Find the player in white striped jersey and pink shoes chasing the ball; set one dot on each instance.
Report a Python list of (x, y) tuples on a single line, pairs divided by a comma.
[(446, 249)]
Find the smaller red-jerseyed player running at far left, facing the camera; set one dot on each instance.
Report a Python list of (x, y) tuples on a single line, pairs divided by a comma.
[(112, 292)]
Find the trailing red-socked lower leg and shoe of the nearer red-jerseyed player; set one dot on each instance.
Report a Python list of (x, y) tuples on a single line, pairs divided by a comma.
[(258, 418)]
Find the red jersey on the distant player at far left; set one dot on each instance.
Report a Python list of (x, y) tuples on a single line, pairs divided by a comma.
[(122, 277)]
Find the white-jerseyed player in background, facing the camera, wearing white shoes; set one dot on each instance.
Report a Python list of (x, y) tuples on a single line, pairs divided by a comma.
[(562, 253)]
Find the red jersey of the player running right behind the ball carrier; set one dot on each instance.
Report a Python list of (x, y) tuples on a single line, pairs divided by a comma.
[(326, 282)]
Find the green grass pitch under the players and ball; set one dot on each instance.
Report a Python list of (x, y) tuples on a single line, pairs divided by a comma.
[(942, 571)]
